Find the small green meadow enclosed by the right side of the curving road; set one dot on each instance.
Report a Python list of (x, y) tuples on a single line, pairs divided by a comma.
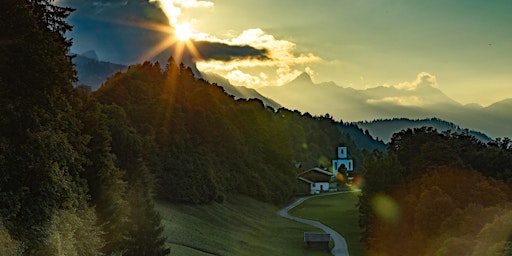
[(339, 212)]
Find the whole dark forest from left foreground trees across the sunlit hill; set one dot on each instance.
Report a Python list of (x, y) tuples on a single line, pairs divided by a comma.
[(80, 170)]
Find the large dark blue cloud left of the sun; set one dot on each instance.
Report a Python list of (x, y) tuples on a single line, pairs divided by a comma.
[(115, 29)]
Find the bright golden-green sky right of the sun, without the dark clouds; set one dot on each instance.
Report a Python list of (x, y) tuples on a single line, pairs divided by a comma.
[(361, 44)]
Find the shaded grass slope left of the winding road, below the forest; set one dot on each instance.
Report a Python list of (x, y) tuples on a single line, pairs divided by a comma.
[(239, 226)]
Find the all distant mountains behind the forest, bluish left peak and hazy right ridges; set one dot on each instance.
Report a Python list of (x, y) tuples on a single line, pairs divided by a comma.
[(390, 108)]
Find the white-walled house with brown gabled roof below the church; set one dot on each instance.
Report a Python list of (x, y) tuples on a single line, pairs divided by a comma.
[(313, 181)]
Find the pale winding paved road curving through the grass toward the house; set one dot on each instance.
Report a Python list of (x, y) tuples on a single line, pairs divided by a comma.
[(340, 245)]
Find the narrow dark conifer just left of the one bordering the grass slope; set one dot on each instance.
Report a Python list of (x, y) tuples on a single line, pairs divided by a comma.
[(105, 180)]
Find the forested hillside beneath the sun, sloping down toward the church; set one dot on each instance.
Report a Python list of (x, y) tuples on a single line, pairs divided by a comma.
[(206, 145)]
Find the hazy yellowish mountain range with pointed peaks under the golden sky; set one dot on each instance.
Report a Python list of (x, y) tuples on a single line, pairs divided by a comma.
[(383, 102)]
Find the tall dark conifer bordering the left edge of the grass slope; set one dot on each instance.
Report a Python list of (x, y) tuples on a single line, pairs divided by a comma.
[(144, 229)]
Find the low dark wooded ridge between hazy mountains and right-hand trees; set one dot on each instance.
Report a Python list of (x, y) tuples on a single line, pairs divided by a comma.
[(383, 129)]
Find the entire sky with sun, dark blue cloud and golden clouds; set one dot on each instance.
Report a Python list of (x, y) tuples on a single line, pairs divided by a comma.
[(464, 46)]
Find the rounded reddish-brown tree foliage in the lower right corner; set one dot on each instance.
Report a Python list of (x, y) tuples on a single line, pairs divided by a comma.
[(448, 211)]
